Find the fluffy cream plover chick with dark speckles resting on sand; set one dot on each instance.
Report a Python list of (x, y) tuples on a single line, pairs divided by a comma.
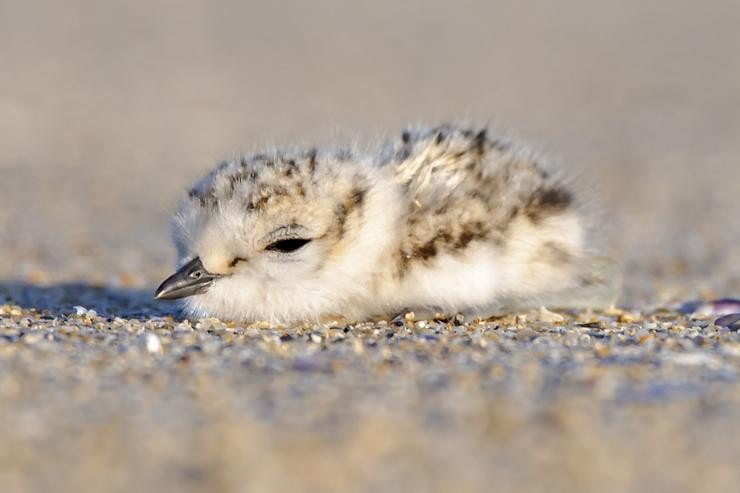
[(440, 220)]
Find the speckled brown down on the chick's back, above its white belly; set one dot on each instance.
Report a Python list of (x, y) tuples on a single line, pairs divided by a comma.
[(465, 187)]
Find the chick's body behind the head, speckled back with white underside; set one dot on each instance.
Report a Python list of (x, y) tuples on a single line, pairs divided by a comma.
[(477, 200)]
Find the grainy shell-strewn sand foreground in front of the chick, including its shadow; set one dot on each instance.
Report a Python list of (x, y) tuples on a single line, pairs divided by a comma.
[(121, 393)]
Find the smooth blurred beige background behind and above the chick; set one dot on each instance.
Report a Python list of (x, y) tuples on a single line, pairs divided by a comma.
[(108, 110)]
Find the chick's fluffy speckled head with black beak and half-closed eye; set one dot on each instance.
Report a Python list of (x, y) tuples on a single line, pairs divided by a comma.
[(279, 236)]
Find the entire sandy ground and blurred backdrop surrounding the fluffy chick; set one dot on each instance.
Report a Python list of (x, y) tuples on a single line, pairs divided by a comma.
[(109, 110)]
